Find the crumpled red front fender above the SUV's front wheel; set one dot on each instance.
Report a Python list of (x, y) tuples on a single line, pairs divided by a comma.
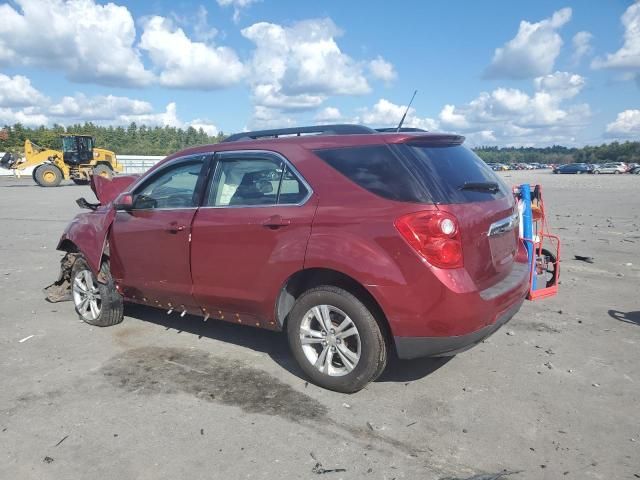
[(88, 233)]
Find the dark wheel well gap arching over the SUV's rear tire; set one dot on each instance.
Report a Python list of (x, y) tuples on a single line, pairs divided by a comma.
[(304, 280)]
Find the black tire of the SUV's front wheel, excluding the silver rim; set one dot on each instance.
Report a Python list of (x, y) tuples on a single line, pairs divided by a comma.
[(111, 304)]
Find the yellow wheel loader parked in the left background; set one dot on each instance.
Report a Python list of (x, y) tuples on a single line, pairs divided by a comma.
[(77, 160)]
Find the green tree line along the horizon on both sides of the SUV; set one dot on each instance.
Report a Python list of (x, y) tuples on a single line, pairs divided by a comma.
[(143, 140)]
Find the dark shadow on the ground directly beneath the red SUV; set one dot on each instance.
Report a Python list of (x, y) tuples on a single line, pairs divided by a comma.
[(273, 344)]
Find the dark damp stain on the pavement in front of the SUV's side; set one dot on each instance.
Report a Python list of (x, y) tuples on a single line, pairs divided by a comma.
[(158, 370)]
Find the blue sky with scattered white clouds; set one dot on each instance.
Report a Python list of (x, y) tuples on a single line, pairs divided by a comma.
[(499, 72)]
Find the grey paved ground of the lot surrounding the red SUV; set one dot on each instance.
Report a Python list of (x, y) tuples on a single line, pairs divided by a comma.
[(554, 394)]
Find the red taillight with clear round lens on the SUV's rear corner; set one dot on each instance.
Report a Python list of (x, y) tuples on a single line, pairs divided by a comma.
[(435, 235)]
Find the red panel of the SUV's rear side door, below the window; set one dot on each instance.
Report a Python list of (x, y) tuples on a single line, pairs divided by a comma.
[(239, 264)]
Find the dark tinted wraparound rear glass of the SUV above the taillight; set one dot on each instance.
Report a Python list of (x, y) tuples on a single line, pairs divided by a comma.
[(417, 173)]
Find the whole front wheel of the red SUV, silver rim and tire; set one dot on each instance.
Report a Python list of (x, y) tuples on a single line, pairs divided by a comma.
[(96, 303)]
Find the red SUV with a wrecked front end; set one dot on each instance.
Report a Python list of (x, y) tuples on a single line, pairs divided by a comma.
[(357, 243)]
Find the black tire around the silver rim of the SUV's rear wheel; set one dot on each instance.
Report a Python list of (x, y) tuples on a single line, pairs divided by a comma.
[(373, 348)]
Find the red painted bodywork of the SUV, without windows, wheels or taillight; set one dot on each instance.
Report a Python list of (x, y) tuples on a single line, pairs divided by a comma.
[(236, 264)]
